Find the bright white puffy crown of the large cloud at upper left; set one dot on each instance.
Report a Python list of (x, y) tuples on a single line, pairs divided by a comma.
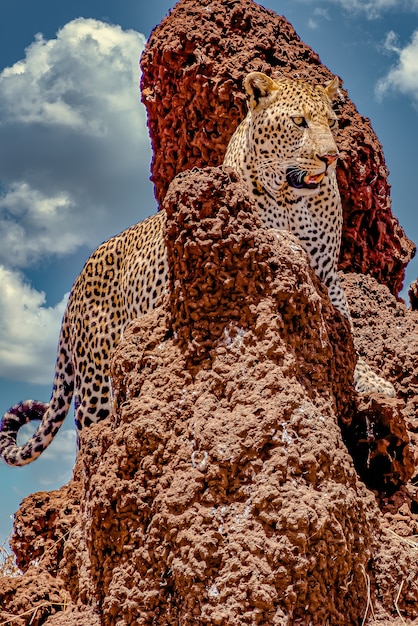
[(88, 72)]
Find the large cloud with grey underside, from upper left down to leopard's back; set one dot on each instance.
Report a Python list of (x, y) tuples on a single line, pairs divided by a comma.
[(75, 150)]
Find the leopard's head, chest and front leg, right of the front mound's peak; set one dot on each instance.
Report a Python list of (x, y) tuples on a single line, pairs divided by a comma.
[(286, 152)]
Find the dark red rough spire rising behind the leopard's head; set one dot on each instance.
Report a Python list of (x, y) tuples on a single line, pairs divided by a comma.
[(193, 67)]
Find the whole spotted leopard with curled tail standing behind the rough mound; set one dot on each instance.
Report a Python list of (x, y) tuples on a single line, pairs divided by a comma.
[(285, 151)]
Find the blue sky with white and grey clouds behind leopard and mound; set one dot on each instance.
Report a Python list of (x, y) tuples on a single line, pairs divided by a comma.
[(75, 158)]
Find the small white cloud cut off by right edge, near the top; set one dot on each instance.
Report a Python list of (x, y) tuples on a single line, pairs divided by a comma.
[(403, 77)]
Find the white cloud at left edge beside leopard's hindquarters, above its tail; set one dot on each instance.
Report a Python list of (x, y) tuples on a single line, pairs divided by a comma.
[(28, 330)]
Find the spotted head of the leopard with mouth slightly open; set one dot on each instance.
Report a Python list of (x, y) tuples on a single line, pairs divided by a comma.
[(291, 129)]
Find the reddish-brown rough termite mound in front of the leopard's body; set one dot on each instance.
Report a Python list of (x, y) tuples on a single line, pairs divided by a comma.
[(222, 491)]
